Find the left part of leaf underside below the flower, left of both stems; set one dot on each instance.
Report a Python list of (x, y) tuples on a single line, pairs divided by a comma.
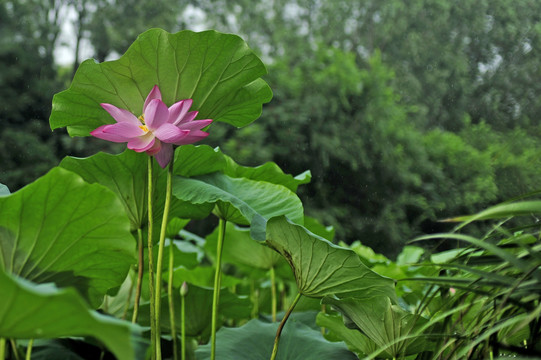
[(125, 174)]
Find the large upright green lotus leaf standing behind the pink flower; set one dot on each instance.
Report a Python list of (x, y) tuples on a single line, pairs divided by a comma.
[(218, 71)]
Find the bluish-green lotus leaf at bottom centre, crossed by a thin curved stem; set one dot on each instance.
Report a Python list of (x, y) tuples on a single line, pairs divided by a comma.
[(255, 339)]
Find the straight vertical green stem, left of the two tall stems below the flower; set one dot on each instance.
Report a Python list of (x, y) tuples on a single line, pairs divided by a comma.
[(151, 262)]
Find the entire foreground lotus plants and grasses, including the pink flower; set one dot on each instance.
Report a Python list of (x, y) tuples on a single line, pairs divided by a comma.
[(95, 261)]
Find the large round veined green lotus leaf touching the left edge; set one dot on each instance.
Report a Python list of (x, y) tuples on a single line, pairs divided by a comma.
[(61, 229)]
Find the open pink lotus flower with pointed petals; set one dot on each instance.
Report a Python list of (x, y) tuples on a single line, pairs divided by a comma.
[(157, 129)]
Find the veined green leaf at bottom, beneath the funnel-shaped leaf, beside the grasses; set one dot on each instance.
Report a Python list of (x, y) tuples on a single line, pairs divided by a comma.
[(389, 326)]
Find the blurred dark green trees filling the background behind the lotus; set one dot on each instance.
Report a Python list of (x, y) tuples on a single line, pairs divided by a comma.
[(404, 112)]
